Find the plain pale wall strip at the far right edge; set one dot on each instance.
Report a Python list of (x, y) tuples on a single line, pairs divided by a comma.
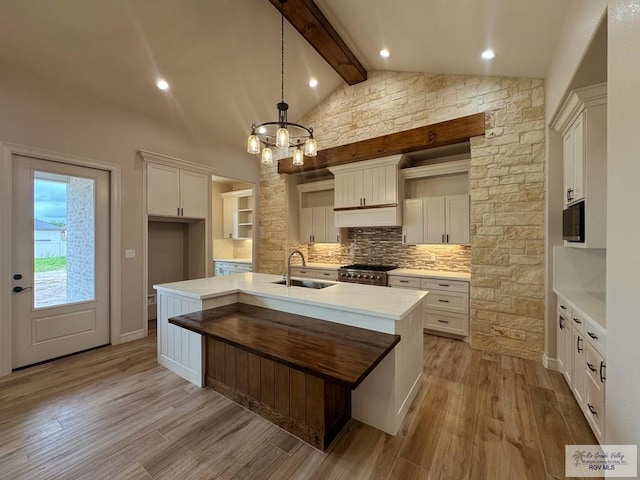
[(623, 225)]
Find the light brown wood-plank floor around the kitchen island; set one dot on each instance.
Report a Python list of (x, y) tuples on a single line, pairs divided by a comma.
[(114, 413)]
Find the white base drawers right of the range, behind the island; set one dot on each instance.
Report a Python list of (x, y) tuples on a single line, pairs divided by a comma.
[(445, 308)]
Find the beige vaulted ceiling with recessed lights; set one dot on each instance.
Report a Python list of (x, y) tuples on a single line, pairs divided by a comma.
[(222, 57)]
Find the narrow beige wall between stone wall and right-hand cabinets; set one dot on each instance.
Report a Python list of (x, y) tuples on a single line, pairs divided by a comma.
[(579, 28)]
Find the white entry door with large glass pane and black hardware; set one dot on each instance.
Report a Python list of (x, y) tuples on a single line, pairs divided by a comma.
[(60, 259)]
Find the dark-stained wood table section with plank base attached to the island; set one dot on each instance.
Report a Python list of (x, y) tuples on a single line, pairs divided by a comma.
[(295, 371)]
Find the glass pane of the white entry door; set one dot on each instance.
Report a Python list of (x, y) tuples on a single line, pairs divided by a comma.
[(64, 239)]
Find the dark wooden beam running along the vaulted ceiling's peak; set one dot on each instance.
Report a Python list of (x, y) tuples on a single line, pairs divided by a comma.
[(307, 18)]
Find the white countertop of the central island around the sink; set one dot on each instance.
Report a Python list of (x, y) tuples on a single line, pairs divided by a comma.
[(389, 303)]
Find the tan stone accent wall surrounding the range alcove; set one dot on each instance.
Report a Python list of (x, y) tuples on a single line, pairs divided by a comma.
[(506, 187)]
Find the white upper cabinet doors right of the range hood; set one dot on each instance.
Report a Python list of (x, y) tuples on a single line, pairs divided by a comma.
[(436, 220)]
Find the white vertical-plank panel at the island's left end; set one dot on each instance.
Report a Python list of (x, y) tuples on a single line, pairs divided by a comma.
[(180, 350)]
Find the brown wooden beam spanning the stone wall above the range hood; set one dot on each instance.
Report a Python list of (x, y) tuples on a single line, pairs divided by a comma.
[(421, 138)]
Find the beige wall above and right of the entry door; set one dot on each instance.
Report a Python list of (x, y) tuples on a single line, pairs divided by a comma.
[(40, 114)]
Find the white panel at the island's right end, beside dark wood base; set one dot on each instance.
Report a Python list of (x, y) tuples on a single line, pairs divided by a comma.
[(383, 399)]
